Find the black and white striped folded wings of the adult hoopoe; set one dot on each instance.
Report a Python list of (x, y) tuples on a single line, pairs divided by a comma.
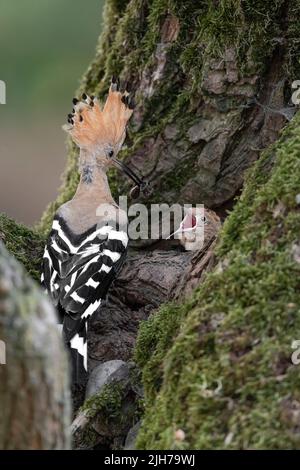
[(77, 271)]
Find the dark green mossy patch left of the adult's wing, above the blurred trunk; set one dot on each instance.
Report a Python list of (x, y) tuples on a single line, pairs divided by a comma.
[(24, 243)]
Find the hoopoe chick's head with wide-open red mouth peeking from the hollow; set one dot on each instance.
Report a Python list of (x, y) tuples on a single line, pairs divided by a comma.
[(197, 228)]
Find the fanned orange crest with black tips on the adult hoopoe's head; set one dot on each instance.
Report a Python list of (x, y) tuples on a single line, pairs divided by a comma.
[(100, 132)]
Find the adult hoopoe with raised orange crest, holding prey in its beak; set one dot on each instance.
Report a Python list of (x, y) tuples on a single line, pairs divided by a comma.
[(88, 240)]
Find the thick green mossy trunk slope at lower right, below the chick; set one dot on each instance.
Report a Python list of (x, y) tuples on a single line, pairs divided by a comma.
[(218, 367)]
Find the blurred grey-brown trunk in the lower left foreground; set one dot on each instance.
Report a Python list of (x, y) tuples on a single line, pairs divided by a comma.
[(34, 386)]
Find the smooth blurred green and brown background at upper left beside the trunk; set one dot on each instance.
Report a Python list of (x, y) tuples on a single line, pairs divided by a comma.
[(45, 47)]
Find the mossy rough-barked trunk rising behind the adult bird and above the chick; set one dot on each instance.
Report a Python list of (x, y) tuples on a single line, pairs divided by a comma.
[(209, 78)]
